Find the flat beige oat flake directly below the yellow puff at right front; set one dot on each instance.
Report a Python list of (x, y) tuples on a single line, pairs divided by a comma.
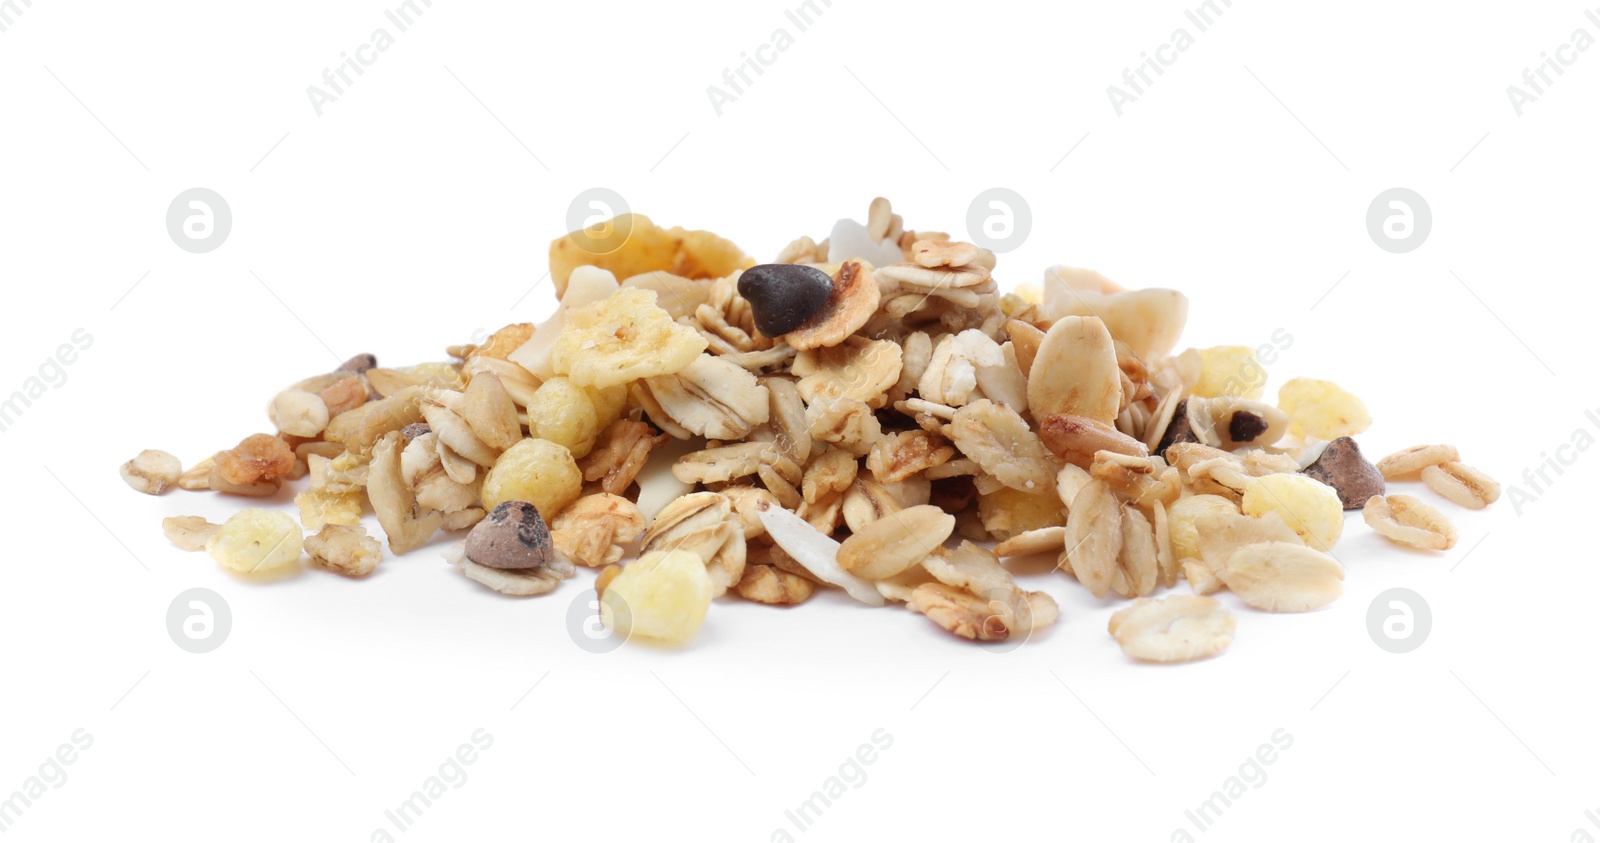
[(1282, 577)]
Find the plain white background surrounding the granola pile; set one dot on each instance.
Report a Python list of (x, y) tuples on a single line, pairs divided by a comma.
[(418, 209)]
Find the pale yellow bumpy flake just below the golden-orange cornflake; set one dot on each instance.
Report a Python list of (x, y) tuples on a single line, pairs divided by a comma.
[(622, 340)]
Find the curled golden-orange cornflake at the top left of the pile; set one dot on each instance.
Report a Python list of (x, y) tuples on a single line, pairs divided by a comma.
[(631, 244)]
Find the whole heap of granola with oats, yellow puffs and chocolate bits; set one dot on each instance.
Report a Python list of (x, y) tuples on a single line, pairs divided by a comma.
[(870, 414)]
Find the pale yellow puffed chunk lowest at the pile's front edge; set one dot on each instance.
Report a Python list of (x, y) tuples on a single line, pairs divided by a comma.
[(662, 596)]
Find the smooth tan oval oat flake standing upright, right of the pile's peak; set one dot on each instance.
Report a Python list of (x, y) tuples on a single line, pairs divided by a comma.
[(1076, 372)]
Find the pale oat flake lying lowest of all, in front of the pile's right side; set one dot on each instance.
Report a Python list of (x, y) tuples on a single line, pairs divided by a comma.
[(1174, 629)]
